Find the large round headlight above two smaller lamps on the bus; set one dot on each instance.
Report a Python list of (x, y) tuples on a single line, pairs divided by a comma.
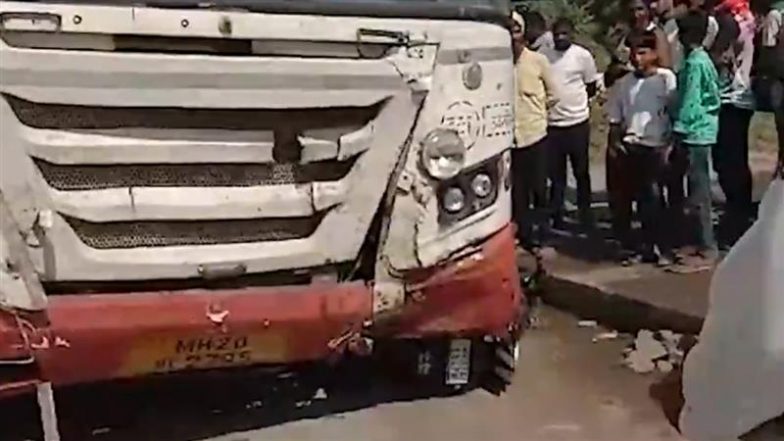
[(443, 153)]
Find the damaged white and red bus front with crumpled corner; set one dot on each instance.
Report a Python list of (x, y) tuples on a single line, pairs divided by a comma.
[(189, 186)]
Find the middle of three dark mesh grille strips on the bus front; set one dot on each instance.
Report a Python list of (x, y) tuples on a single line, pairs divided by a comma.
[(94, 177)]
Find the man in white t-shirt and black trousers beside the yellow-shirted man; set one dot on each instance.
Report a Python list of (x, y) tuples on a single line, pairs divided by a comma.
[(575, 71)]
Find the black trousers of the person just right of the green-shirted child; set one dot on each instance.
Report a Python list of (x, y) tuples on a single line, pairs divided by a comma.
[(731, 162)]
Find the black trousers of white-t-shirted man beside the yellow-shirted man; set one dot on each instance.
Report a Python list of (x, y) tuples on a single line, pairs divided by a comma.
[(570, 144)]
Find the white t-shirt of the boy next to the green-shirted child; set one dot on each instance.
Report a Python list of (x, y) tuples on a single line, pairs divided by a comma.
[(641, 106)]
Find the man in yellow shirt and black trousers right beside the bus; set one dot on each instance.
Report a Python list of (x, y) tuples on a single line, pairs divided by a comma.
[(536, 92)]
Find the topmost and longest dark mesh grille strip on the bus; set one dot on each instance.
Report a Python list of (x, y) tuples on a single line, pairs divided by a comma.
[(60, 116)]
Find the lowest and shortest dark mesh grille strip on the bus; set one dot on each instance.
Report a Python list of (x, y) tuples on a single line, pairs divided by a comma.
[(113, 235)]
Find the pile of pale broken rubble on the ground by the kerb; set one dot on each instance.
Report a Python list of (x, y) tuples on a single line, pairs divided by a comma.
[(656, 350)]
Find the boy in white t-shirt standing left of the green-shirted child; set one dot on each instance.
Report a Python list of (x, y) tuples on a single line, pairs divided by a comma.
[(640, 133)]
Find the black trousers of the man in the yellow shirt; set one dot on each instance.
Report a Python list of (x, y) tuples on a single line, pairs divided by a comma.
[(529, 194)]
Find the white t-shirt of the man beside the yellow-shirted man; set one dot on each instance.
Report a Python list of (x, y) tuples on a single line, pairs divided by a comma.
[(572, 69)]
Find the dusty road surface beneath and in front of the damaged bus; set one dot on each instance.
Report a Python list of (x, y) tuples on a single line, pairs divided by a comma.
[(567, 388)]
